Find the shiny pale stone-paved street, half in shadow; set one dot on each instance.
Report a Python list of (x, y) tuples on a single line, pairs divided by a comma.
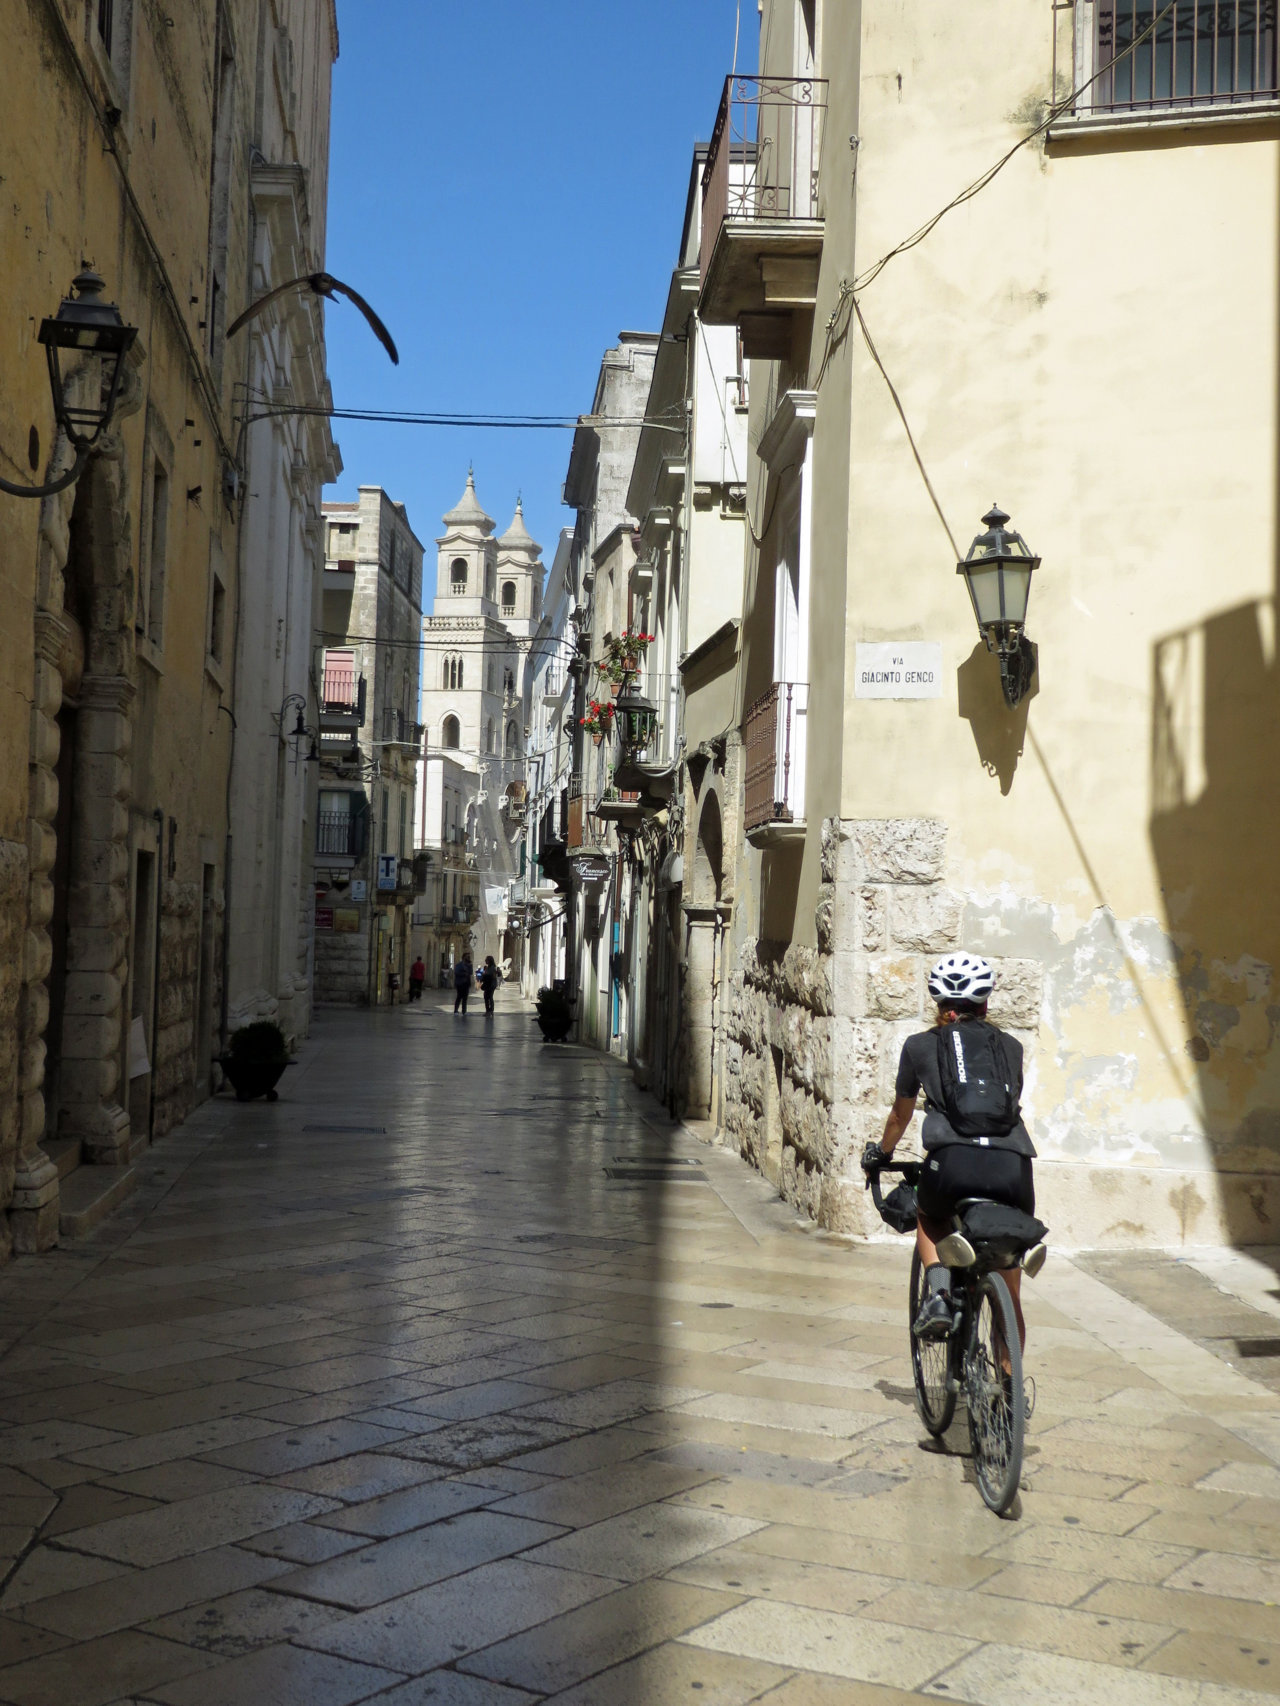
[(462, 1376)]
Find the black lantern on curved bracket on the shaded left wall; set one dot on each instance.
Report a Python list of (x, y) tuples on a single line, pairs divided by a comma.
[(84, 327)]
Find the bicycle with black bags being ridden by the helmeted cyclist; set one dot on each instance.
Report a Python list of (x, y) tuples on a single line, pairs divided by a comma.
[(984, 1333)]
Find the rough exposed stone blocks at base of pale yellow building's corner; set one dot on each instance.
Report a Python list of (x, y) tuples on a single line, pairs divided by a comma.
[(839, 1014)]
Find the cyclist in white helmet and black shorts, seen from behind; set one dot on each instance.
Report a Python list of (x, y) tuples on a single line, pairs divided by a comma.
[(996, 1168)]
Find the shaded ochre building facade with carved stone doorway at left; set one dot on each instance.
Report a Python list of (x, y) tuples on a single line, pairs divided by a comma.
[(132, 148)]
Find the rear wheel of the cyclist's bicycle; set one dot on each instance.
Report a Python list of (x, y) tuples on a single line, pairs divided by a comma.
[(996, 1398)]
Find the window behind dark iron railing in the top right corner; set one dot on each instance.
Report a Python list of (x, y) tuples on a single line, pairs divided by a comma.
[(1202, 52)]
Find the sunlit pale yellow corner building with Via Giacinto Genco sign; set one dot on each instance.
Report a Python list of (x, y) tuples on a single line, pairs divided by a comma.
[(1107, 837)]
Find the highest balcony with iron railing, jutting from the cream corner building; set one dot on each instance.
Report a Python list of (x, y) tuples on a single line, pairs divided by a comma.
[(762, 233)]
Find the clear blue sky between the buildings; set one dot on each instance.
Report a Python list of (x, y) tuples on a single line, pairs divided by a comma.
[(506, 187)]
